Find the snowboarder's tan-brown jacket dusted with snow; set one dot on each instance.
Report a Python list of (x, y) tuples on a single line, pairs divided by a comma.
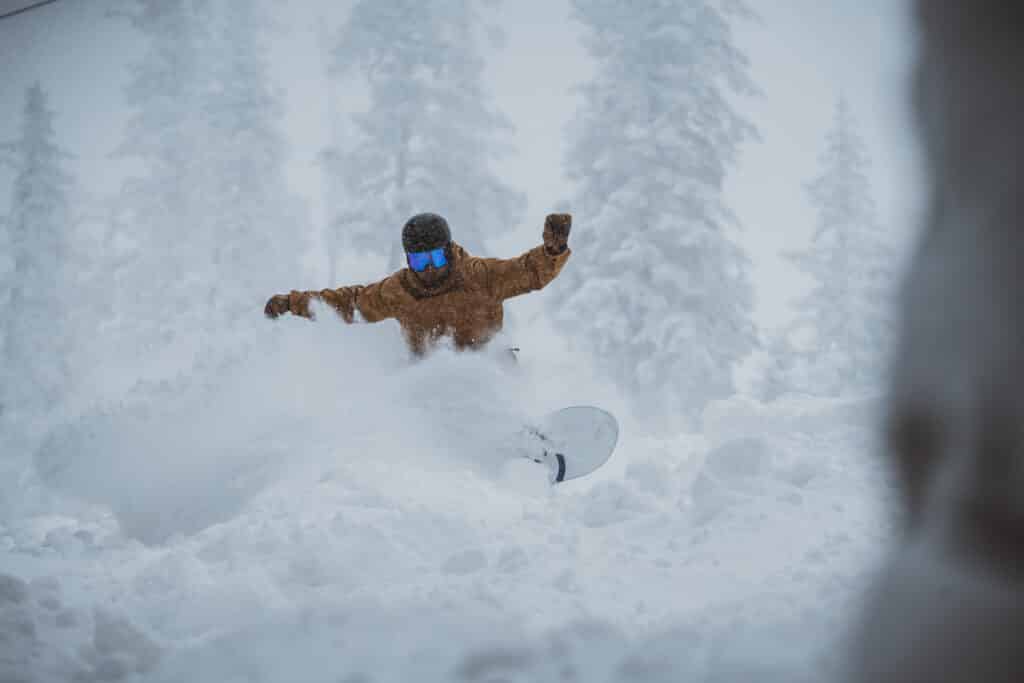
[(467, 307)]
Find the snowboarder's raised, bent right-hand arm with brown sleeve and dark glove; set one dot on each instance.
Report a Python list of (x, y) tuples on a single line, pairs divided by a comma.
[(536, 269)]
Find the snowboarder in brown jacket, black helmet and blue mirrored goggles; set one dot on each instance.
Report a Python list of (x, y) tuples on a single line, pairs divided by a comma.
[(445, 292)]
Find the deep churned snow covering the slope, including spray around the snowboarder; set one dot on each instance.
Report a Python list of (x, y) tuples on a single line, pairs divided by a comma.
[(320, 509)]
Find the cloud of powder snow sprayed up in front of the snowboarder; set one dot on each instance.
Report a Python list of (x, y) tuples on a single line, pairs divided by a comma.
[(178, 456)]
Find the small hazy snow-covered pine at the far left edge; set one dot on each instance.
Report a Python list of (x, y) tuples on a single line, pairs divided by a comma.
[(35, 374)]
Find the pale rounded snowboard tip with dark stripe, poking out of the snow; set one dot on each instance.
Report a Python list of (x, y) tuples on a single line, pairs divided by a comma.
[(572, 443)]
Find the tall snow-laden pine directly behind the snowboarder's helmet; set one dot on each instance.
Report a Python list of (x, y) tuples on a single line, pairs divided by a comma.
[(430, 137)]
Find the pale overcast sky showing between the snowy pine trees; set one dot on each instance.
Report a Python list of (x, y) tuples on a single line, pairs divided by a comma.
[(804, 53)]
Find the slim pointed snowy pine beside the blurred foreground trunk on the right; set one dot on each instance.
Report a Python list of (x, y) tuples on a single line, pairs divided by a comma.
[(847, 313)]
